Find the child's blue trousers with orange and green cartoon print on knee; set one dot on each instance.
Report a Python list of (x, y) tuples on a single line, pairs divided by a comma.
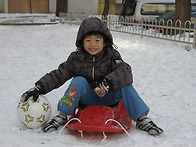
[(79, 90)]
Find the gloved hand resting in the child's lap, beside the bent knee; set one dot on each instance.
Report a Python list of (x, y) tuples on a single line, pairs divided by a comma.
[(102, 88)]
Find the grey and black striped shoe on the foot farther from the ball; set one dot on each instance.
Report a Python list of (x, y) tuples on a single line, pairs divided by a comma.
[(146, 124)]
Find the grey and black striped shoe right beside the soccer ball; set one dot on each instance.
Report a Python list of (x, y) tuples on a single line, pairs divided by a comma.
[(55, 123)]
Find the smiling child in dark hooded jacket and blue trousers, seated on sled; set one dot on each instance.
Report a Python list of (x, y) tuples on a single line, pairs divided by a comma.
[(100, 77)]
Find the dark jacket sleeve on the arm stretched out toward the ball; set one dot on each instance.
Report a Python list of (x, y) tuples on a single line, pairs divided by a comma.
[(57, 77)]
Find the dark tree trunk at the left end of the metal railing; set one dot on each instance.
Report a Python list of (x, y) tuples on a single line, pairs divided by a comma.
[(61, 6)]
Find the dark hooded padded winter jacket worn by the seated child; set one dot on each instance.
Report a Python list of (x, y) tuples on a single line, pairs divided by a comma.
[(107, 64)]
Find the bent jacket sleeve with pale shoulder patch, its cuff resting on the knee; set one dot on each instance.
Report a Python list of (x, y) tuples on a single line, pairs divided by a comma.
[(121, 75)]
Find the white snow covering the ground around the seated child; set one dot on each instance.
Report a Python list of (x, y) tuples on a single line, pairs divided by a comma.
[(164, 76)]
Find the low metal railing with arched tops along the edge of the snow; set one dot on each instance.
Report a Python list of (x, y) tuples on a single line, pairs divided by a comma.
[(152, 28)]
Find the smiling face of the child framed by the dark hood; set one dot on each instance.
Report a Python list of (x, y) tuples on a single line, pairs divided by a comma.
[(93, 44)]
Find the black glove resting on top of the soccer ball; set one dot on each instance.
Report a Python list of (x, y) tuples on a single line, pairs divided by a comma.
[(35, 92)]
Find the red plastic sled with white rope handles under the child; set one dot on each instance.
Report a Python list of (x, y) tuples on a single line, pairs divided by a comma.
[(100, 119)]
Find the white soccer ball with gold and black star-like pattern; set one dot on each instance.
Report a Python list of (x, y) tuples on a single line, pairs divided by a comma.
[(34, 114)]
